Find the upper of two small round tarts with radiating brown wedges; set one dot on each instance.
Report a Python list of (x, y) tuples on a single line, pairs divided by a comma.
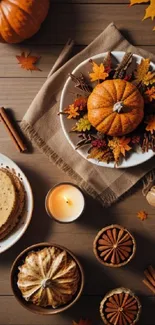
[(114, 246)]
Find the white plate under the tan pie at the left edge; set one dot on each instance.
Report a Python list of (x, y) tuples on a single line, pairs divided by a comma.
[(21, 227)]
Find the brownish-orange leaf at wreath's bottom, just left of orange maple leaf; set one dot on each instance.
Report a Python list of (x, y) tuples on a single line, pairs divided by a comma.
[(104, 155)]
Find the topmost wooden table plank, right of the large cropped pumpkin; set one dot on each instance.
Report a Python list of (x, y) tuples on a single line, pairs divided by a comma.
[(91, 19)]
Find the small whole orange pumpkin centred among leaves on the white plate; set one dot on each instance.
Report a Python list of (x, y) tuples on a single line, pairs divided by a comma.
[(115, 107)]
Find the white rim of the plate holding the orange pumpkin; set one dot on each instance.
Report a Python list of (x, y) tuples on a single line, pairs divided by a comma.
[(150, 153)]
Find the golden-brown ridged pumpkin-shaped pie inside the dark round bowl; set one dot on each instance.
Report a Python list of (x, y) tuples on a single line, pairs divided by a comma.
[(48, 277)]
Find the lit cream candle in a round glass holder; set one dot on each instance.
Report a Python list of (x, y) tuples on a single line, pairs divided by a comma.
[(65, 202)]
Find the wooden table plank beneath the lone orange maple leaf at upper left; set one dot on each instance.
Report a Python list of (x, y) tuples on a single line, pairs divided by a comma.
[(49, 53)]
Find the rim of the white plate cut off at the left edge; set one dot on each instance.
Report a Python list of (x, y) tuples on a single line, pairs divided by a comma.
[(29, 215)]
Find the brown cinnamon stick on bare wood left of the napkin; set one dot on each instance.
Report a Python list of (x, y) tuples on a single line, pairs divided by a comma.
[(12, 131)]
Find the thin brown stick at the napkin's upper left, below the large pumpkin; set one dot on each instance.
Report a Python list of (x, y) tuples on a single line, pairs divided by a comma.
[(62, 58)]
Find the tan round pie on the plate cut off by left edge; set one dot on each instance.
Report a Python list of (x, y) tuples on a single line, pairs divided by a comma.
[(12, 201)]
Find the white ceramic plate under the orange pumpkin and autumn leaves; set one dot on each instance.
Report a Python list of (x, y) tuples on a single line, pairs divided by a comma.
[(68, 96)]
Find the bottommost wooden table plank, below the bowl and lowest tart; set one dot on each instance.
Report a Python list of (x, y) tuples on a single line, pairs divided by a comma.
[(86, 308)]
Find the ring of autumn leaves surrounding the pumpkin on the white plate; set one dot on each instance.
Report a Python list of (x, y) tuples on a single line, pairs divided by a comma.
[(100, 146)]
